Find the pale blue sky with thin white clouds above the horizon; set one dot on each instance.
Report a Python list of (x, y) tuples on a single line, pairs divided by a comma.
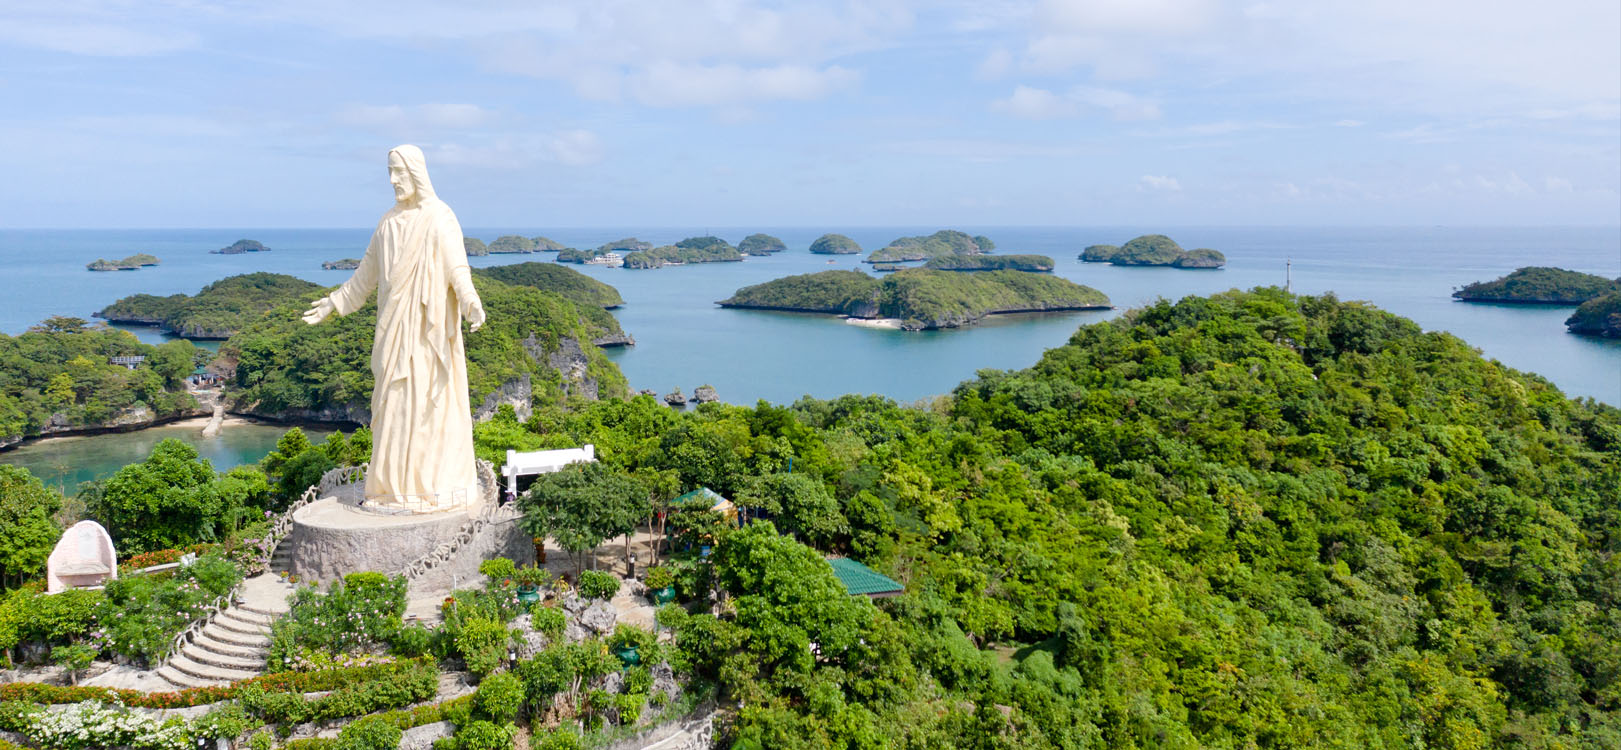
[(875, 113)]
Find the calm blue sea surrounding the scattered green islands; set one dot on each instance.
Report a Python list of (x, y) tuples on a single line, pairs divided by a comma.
[(685, 341)]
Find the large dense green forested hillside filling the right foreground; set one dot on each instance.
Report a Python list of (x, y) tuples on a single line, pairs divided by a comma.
[(1247, 521)]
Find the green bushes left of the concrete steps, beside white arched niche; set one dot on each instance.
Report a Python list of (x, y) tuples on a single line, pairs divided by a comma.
[(142, 615)]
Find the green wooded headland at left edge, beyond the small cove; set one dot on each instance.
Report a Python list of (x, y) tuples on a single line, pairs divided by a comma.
[(59, 375)]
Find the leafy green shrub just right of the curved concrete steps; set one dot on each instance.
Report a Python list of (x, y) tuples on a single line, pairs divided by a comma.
[(361, 613)]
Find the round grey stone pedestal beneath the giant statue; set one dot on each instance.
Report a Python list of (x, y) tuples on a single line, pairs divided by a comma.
[(336, 537)]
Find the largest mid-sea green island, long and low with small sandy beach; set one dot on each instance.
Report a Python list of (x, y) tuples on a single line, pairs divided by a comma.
[(918, 299)]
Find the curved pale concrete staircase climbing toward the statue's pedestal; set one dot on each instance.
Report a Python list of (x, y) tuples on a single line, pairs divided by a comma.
[(233, 647)]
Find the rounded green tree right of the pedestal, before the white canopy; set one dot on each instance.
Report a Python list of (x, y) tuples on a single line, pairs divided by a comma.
[(584, 506)]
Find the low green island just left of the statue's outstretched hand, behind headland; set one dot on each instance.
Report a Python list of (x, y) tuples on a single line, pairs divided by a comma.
[(218, 312)]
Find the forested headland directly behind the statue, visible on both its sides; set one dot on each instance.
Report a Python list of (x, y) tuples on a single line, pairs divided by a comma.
[(286, 369)]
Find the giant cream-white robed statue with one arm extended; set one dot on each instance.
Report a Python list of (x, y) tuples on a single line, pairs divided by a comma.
[(422, 428)]
